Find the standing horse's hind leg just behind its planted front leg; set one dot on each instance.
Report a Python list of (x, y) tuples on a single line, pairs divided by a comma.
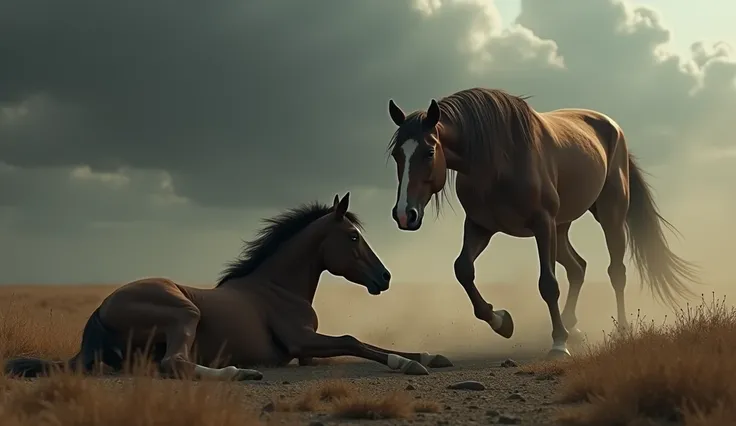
[(575, 267)]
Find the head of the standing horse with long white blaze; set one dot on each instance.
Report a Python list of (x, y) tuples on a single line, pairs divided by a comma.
[(420, 163)]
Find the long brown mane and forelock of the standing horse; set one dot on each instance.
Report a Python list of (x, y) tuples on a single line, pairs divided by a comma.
[(495, 129)]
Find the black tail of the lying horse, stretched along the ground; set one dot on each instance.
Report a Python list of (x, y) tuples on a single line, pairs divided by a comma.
[(98, 345)]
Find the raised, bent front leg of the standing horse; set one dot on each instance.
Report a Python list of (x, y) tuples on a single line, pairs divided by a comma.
[(475, 240)]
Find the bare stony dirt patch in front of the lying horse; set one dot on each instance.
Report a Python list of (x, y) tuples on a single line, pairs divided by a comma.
[(521, 397)]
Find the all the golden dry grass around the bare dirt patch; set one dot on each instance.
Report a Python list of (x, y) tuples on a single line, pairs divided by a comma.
[(680, 371)]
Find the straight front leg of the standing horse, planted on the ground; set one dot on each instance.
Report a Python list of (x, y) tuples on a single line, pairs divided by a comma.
[(544, 228)]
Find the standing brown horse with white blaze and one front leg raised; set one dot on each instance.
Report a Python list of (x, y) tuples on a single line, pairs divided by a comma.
[(525, 173)]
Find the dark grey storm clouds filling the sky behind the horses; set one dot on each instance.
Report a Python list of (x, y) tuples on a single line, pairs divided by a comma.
[(153, 115)]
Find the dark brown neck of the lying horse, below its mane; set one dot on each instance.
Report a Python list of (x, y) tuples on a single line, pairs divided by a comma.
[(296, 267)]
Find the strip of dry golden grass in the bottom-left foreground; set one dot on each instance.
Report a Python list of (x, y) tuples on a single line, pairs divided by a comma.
[(66, 399)]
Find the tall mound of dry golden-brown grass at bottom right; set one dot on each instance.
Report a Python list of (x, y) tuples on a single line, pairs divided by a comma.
[(680, 372)]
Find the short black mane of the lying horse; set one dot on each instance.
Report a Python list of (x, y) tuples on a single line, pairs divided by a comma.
[(276, 231)]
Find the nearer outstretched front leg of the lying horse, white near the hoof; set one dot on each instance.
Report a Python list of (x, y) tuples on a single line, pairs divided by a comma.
[(315, 345)]
